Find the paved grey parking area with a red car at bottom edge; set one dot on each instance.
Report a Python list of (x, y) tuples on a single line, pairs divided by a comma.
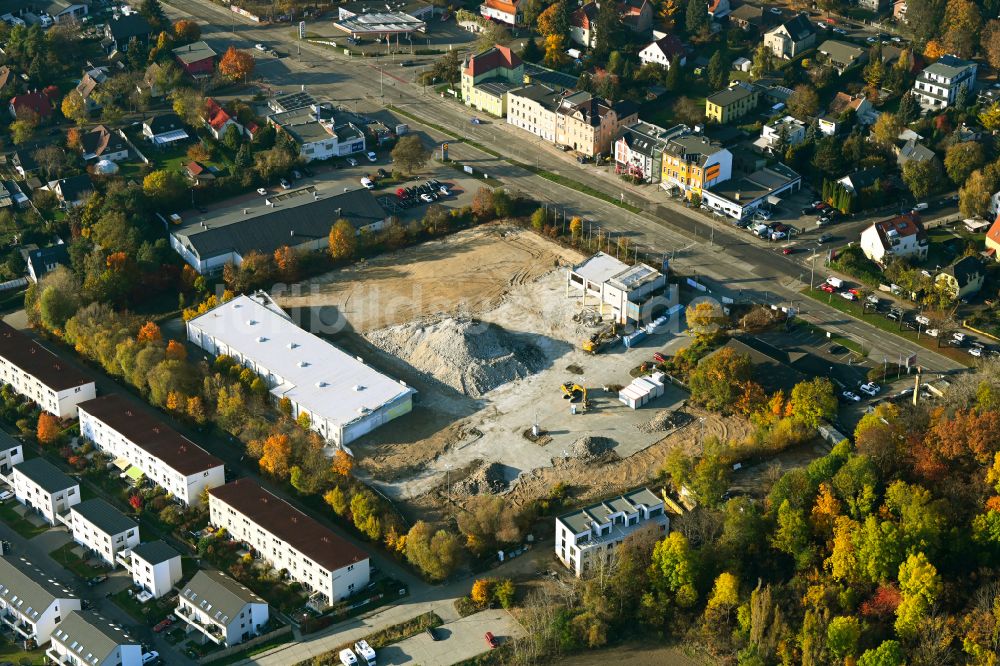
[(458, 640)]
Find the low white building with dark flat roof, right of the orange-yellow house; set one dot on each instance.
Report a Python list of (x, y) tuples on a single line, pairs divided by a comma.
[(740, 198)]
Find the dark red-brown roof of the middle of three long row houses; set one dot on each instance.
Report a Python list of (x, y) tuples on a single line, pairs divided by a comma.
[(138, 425)]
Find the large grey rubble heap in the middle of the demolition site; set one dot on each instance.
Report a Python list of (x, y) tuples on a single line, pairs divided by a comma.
[(471, 356)]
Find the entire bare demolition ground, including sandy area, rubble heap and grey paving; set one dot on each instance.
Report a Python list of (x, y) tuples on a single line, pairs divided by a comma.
[(482, 326)]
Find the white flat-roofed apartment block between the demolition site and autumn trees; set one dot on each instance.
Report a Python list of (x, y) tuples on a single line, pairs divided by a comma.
[(586, 538)]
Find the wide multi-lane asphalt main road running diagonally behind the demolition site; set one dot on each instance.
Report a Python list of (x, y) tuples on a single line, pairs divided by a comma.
[(728, 261)]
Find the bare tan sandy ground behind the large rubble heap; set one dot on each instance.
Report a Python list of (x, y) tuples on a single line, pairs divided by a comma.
[(471, 271)]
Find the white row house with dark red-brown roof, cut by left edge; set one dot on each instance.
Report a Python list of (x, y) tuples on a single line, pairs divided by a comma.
[(38, 374)]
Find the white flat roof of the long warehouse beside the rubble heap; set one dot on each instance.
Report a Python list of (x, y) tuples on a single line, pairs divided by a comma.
[(316, 375)]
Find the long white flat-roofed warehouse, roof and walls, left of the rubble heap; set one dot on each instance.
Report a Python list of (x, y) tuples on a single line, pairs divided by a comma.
[(343, 397)]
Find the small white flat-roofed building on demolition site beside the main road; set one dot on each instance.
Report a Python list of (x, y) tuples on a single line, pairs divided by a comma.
[(628, 290)]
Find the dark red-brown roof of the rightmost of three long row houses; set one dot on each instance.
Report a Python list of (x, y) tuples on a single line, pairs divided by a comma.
[(284, 521)]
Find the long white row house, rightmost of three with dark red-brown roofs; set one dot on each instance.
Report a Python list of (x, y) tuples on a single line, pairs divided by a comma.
[(329, 567)]
